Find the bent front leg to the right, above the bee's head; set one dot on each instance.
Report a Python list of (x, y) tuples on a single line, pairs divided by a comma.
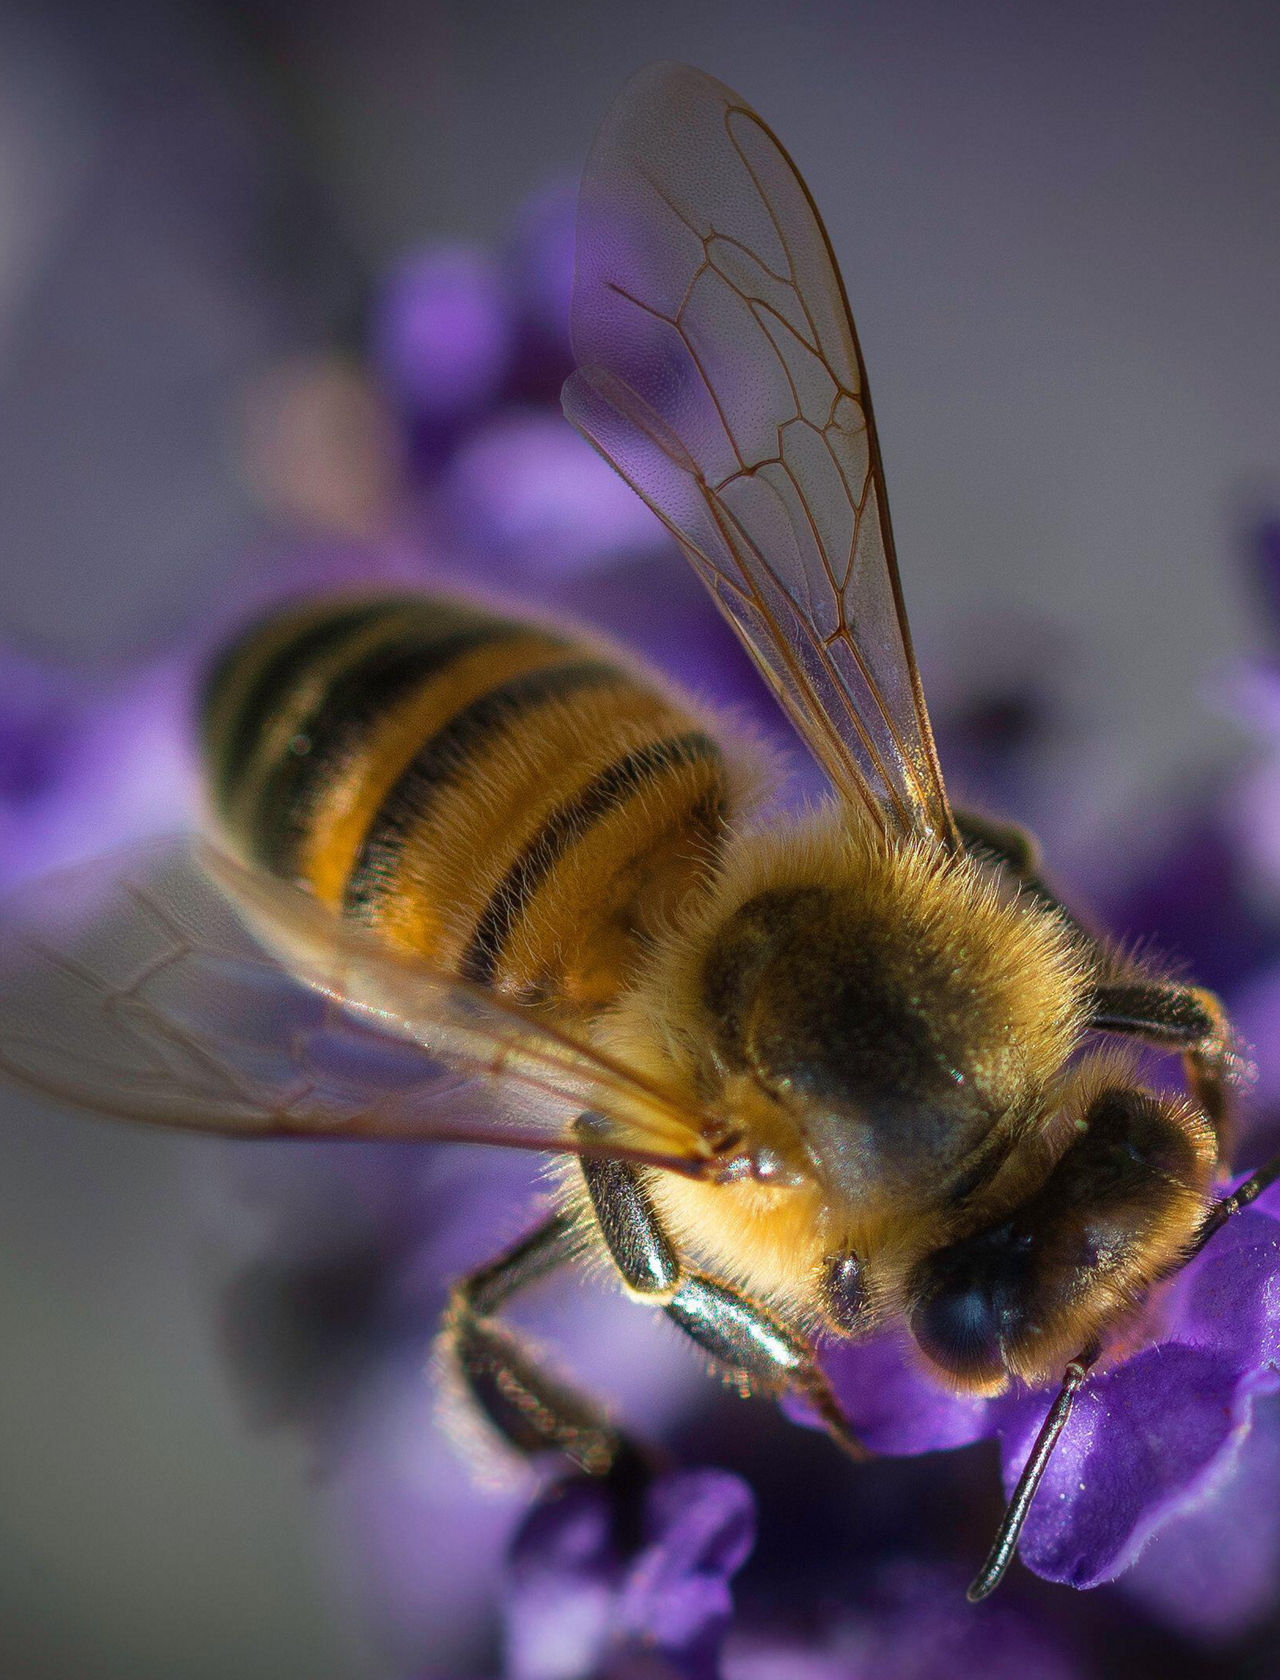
[(1183, 1019)]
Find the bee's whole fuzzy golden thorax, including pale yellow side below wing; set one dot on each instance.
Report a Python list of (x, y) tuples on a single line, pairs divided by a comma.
[(827, 975)]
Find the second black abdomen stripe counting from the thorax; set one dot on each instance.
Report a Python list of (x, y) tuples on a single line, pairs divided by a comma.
[(446, 759)]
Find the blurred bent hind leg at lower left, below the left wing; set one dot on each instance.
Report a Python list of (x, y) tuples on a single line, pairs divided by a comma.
[(530, 1409)]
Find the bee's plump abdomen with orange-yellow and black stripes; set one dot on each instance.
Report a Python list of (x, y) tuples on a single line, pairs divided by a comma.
[(513, 804)]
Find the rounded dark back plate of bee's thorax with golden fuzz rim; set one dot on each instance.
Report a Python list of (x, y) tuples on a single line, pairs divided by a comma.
[(900, 1019)]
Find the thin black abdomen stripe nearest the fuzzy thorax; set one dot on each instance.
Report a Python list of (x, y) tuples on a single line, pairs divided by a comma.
[(606, 794)]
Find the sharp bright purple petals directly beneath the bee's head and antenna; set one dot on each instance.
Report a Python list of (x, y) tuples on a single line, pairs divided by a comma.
[(1151, 1437)]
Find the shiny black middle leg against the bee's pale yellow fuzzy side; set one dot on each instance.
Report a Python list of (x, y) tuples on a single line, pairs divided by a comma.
[(742, 1336)]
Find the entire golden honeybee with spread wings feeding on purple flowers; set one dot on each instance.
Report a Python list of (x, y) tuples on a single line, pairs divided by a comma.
[(471, 876)]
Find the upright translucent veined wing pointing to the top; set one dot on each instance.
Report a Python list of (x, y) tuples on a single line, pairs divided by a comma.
[(720, 372)]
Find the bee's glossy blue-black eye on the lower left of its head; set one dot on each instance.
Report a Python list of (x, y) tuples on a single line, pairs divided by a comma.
[(970, 1301)]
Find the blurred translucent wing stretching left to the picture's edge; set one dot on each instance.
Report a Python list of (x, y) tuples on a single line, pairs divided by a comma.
[(176, 987)]
